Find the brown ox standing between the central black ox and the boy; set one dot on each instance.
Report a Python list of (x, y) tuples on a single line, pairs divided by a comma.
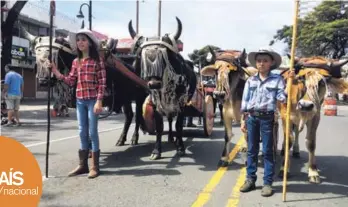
[(231, 76)]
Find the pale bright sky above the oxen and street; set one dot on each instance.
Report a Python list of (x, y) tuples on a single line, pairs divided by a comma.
[(233, 24)]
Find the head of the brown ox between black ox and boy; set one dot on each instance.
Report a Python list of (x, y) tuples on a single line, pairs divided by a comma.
[(228, 67)]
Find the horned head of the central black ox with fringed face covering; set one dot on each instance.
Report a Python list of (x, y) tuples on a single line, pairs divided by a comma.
[(156, 54)]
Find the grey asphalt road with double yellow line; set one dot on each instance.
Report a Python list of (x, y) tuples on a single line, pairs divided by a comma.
[(130, 178)]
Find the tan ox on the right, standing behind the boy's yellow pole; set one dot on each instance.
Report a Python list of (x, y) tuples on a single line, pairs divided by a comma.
[(315, 75)]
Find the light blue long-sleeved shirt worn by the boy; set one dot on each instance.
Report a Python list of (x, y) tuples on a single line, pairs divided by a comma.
[(262, 95)]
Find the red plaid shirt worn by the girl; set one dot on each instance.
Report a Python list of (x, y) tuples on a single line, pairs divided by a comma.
[(90, 76)]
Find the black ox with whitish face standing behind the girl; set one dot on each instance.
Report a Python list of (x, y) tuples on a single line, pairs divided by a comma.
[(120, 92)]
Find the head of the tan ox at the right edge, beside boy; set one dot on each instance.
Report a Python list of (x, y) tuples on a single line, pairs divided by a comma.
[(314, 77)]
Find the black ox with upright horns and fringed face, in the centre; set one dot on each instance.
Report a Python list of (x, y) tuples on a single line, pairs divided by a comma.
[(170, 79)]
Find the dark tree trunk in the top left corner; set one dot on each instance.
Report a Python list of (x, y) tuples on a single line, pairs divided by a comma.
[(6, 33)]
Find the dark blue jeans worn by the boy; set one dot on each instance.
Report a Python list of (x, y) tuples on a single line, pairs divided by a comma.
[(256, 126)]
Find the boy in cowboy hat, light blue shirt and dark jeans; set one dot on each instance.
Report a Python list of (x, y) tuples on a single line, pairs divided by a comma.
[(260, 95)]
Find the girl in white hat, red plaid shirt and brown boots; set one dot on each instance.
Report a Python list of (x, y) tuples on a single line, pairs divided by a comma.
[(89, 73)]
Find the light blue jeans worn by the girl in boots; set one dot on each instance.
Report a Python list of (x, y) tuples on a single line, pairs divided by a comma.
[(88, 123)]
